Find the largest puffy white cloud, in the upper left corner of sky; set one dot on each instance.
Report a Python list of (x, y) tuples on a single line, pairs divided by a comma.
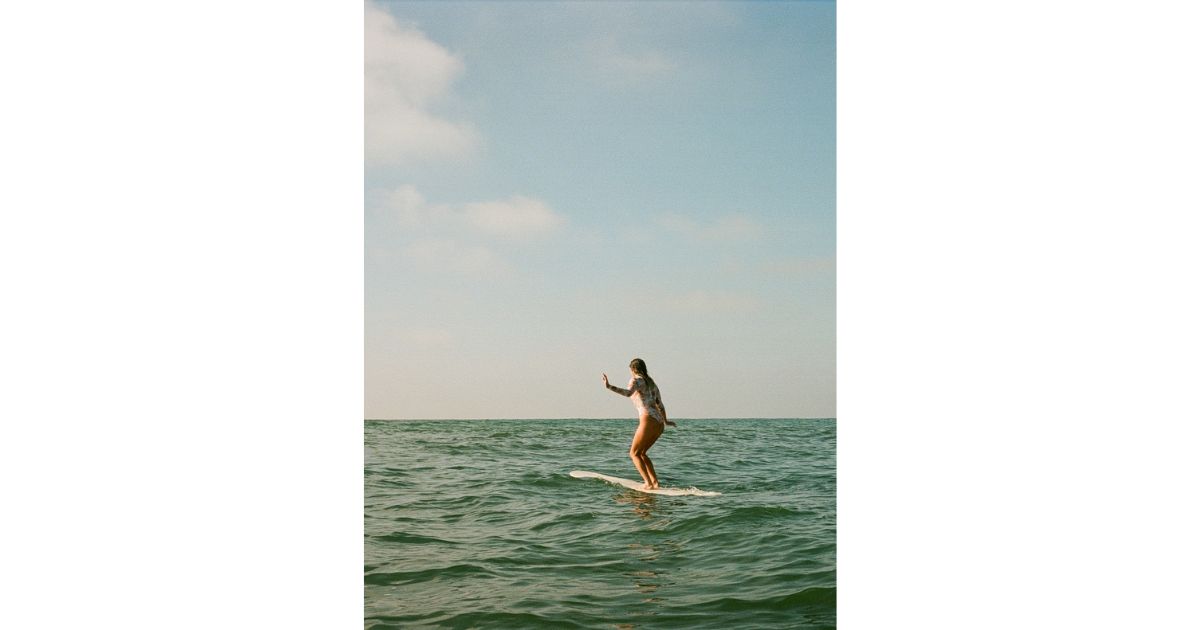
[(406, 75)]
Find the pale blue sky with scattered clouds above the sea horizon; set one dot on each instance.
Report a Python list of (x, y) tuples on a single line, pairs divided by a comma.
[(553, 190)]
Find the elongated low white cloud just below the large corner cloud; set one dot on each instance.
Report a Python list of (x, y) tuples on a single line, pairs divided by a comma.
[(515, 218)]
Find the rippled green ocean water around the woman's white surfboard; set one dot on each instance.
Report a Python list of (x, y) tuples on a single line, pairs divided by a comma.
[(478, 524)]
